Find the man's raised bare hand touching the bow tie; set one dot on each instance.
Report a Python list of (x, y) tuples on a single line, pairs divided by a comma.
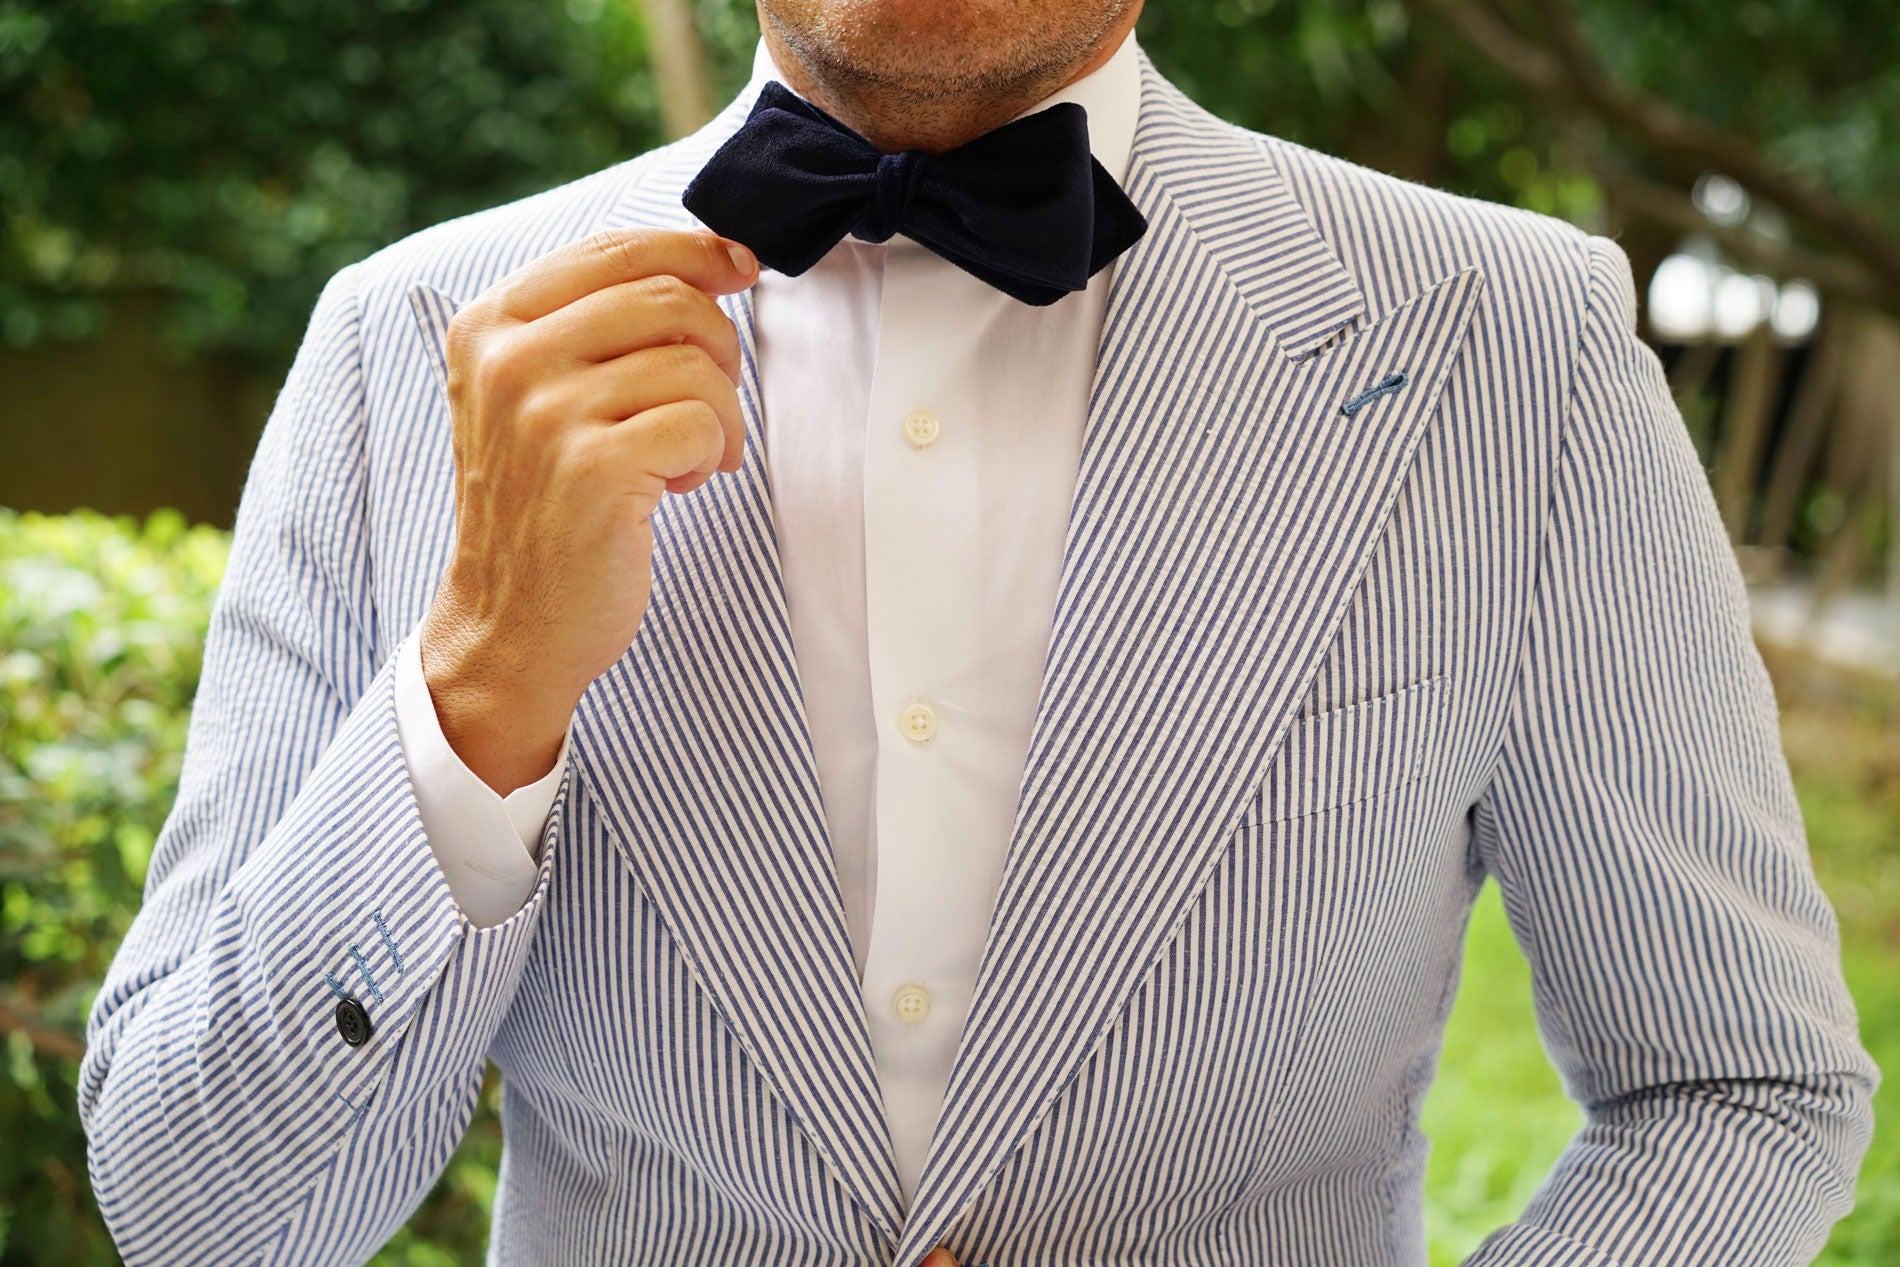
[(582, 388)]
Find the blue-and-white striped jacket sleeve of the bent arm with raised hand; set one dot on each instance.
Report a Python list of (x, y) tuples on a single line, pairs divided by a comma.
[(227, 1118)]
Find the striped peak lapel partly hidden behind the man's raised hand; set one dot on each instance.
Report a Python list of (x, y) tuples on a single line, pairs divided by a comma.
[(698, 755)]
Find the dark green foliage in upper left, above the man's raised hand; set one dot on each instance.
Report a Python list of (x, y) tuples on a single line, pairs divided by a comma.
[(238, 155)]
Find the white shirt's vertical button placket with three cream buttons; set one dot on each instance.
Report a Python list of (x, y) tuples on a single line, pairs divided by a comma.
[(922, 588)]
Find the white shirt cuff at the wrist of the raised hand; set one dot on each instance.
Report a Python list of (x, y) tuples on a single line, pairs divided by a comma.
[(489, 846)]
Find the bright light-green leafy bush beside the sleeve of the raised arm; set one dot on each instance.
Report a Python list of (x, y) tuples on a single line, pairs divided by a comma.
[(102, 641)]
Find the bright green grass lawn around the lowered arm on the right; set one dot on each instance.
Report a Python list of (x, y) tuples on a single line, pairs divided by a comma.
[(1498, 1116)]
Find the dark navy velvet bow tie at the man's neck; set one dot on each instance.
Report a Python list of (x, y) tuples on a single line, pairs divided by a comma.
[(1025, 206)]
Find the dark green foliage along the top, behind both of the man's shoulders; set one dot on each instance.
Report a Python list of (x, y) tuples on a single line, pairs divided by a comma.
[(237, 153)]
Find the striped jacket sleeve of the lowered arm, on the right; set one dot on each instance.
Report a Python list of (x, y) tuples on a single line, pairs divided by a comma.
[(1646, 839)]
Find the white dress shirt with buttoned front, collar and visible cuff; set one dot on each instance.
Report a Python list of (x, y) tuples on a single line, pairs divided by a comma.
[(922, 436)]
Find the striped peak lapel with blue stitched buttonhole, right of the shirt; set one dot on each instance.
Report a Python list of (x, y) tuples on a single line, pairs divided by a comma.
[(1225, 512)]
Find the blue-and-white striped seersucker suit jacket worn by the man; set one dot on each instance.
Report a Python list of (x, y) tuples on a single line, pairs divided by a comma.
[(1390, 569)]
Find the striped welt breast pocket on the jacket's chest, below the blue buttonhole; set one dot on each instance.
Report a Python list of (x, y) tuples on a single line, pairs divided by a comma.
[(1352, 755)]
